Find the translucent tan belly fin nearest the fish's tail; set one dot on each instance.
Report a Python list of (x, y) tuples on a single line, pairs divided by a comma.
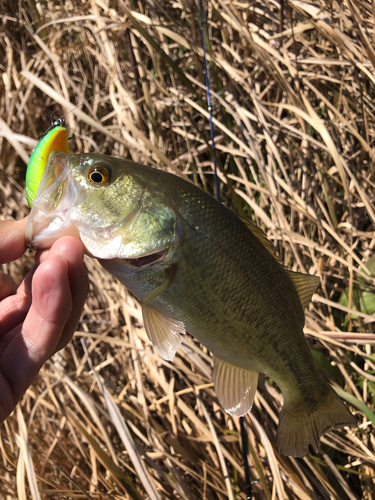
[(235, 387)]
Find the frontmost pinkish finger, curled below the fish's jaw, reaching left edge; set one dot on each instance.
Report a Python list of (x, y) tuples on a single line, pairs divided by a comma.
[(32, 343)]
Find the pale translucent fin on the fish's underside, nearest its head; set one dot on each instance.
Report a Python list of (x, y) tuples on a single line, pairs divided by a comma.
[(164, 332)]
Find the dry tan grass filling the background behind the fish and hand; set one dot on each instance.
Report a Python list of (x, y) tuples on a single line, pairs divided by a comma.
[(294, 112)]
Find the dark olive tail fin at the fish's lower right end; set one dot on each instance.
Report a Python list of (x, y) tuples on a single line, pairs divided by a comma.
[(300, 425)]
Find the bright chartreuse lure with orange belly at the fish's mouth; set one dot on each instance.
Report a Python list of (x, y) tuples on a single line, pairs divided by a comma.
[(55, 140)]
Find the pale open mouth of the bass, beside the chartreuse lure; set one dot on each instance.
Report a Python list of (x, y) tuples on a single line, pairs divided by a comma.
[(51, 215)]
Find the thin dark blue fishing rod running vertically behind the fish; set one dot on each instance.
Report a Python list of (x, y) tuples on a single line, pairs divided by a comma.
[(249, 489)]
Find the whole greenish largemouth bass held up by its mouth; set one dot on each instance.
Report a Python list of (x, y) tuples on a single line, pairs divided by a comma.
[(197, 267)]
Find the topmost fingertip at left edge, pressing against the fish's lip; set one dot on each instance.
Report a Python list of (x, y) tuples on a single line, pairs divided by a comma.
[(12, 238)]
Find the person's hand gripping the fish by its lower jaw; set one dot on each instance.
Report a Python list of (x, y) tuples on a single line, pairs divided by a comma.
[(40, 317)]
